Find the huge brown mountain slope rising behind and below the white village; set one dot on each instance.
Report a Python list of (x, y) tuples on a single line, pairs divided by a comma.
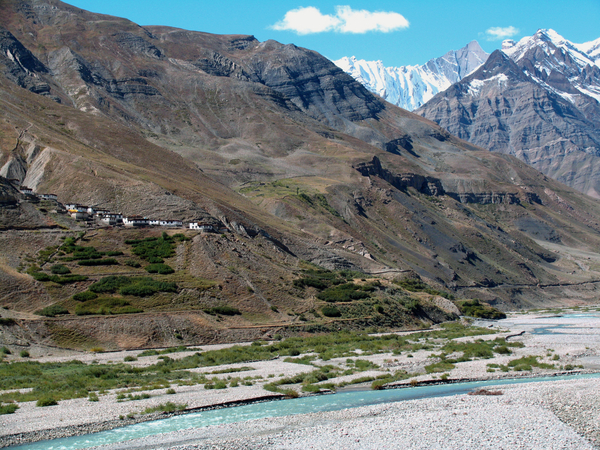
[(305, 168)]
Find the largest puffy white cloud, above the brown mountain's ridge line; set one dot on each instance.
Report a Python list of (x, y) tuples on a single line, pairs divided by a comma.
[(346, 20)]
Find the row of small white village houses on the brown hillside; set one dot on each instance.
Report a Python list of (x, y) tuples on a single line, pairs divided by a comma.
[(106, 217)]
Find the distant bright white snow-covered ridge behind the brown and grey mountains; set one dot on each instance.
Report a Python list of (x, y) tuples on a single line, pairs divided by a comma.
[(411, 86)]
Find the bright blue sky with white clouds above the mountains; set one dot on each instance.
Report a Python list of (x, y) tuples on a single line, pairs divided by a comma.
[(395, 32)]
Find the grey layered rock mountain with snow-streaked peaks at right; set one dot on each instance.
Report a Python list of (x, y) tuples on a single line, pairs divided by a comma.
[(539, 100)]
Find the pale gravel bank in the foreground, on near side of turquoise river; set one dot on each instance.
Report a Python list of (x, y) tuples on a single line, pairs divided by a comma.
[(524, 417)]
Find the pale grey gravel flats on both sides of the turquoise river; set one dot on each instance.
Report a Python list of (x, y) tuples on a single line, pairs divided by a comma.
[(557, 414)]
